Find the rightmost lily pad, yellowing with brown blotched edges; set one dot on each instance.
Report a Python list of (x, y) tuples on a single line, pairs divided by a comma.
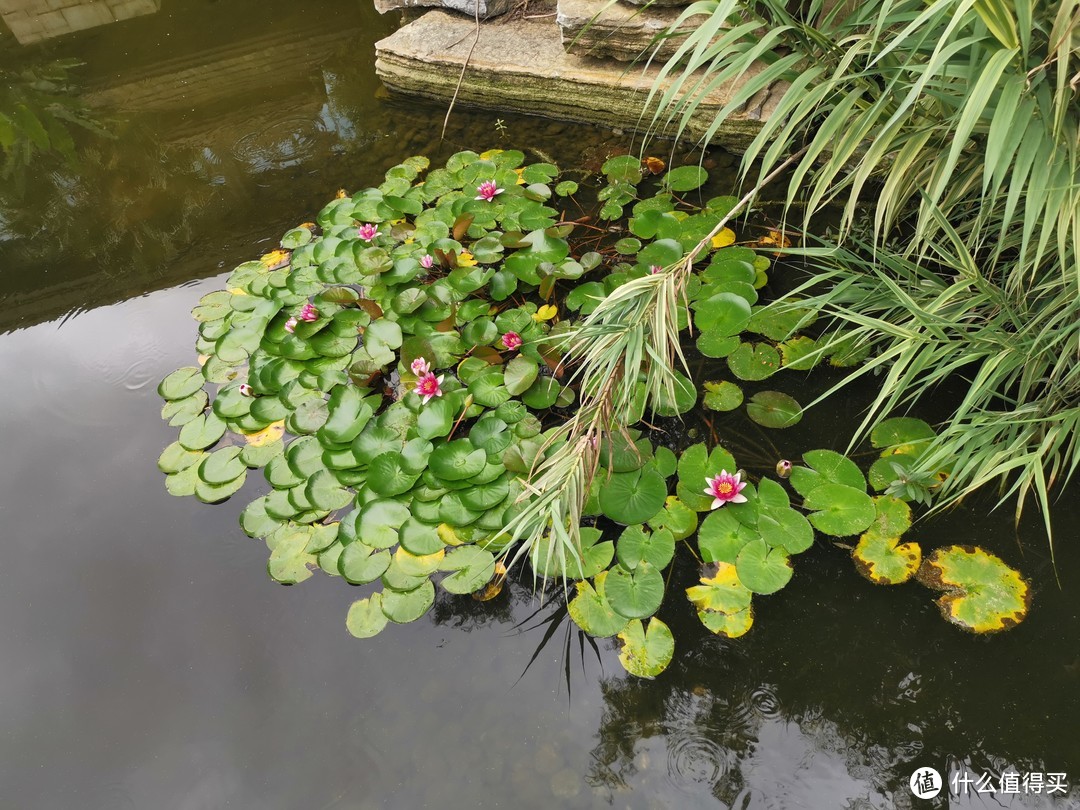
[(982, 595)]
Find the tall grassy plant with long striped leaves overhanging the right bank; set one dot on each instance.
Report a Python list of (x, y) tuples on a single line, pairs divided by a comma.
[(948, 134)]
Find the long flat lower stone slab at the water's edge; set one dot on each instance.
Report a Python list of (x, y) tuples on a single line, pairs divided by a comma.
[(520, 65)]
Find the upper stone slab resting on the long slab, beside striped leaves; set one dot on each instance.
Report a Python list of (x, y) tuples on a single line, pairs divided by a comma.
[(622, 32)]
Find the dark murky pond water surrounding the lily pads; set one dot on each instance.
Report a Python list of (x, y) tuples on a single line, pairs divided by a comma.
[(150, 663)]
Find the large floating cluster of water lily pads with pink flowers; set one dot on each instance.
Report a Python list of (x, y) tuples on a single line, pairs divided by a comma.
[(439, 387)]
